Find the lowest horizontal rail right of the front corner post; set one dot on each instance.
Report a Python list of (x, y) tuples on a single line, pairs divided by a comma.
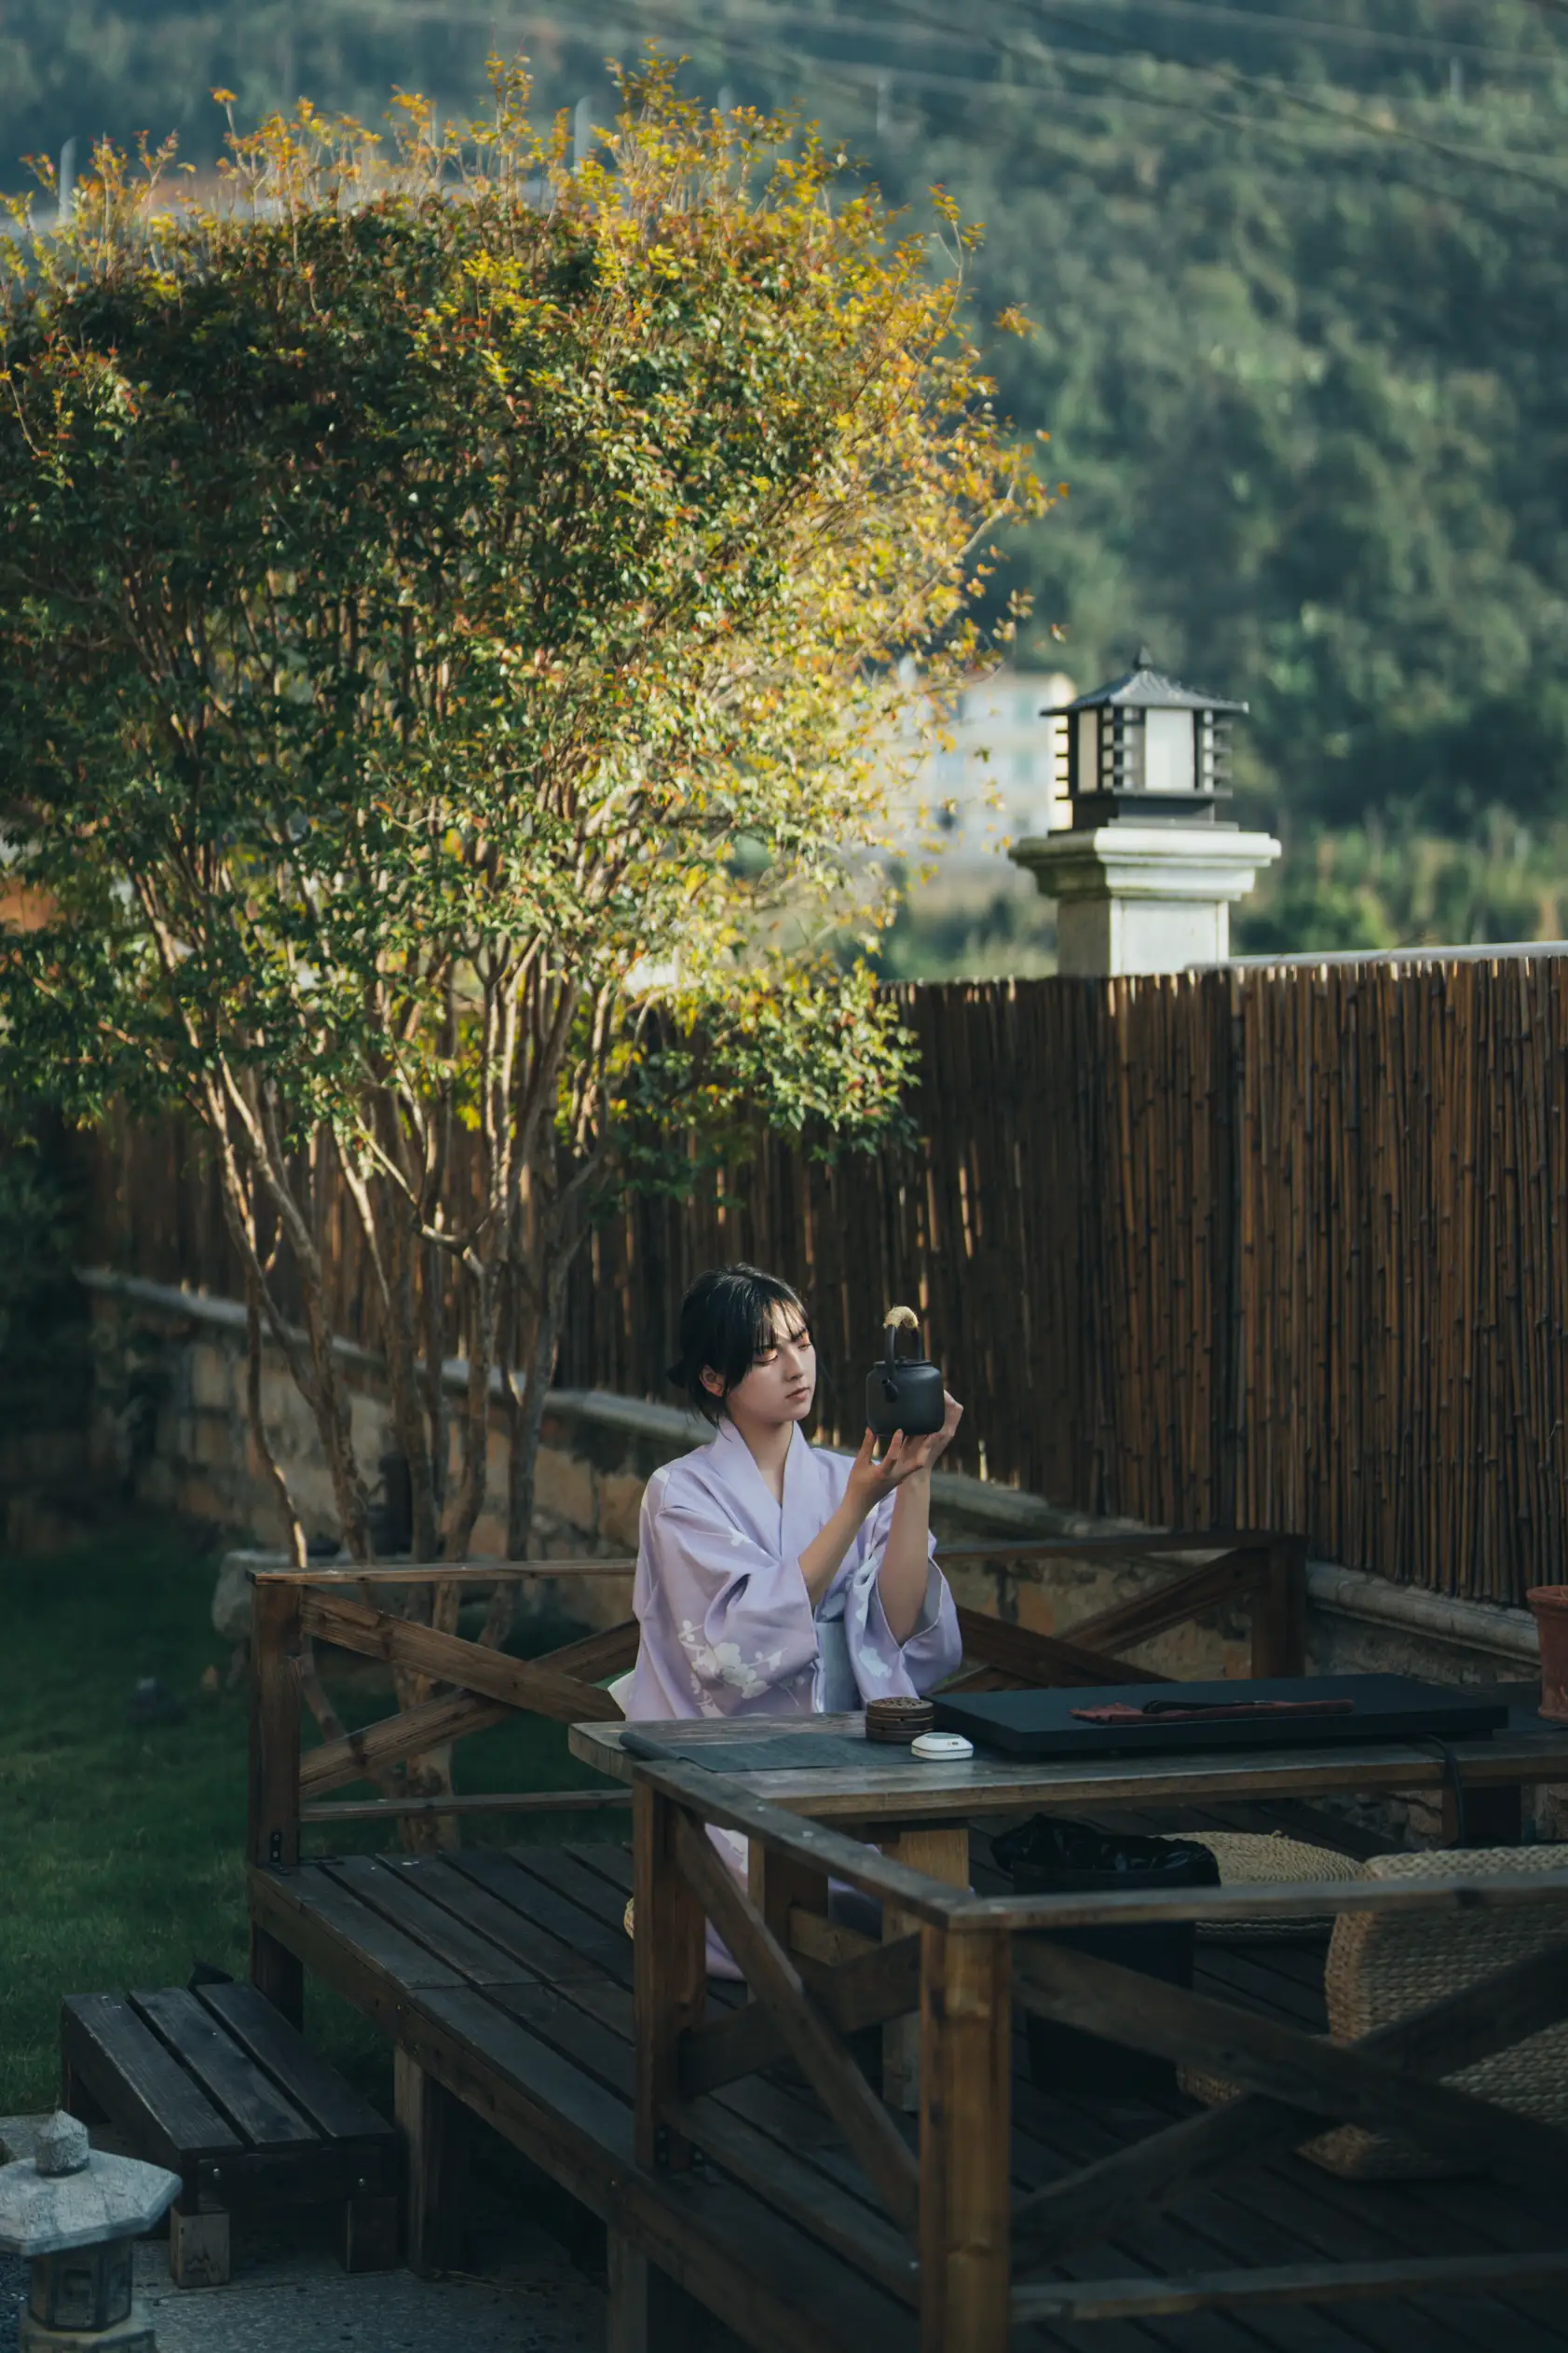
[(1287, 2284)]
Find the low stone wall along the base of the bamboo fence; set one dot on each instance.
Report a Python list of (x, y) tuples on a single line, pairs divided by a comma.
[(170, 1429)]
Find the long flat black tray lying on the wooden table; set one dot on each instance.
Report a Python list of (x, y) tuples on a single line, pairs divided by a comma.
[(1383, 1709)]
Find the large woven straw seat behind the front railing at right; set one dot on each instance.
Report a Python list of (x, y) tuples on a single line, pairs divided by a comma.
[(1383, 1966)]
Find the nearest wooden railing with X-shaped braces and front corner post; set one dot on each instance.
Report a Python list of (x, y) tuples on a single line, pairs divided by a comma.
[(951, 2237)]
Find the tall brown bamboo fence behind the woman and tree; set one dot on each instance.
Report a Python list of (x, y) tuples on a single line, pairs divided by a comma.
[(1238, 1248)]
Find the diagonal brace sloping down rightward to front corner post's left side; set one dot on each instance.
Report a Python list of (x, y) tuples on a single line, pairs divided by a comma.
[(812, 2044)]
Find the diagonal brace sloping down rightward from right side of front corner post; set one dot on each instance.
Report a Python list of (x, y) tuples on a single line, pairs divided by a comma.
[(1306, 2072)]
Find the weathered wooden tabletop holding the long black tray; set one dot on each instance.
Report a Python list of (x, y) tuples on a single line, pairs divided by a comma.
[(894, 1787)]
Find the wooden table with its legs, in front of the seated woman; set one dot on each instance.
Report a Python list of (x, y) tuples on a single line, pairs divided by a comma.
[(920, 1813)]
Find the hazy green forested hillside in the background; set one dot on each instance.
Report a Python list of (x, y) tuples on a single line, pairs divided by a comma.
[(1301, 298)]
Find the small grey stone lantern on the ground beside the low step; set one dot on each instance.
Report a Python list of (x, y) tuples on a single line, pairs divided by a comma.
[(76, 2215)]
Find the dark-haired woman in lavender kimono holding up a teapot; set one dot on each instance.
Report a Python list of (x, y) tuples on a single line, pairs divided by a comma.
[(772, 1575)]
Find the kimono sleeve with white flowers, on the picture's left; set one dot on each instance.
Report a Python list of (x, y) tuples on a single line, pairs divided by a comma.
[(732, 1620)]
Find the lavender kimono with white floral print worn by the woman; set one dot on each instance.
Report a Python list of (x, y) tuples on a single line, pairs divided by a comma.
[(728, 1625)]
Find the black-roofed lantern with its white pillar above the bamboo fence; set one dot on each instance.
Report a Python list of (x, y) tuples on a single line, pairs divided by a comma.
[(1148, 872)]
